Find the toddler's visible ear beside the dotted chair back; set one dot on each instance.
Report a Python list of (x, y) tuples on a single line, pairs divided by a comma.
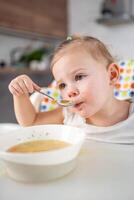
[(113, 70)]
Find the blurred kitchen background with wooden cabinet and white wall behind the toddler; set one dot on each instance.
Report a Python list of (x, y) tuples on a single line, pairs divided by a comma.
[(30, 31)]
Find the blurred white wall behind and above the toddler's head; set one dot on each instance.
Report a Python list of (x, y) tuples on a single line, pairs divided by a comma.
[(82, 16)]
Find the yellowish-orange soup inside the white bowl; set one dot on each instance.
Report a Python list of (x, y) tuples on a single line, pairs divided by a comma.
[(38, 146)]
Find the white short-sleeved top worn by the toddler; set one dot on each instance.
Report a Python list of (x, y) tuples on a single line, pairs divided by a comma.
[(122, 132)]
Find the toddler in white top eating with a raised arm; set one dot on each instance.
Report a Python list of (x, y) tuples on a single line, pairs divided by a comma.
[(85, 73)]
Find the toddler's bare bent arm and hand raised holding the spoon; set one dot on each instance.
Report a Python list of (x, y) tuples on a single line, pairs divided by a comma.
[(25, 113)]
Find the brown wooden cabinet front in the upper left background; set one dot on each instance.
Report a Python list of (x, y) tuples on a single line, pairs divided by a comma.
[(43, 17)]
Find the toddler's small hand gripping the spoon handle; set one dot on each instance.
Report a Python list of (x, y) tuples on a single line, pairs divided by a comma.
[(22, 85)]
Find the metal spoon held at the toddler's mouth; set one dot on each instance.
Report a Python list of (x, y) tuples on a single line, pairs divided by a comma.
[(62, 102)]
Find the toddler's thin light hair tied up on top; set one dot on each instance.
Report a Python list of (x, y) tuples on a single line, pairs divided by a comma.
[(94, 46)]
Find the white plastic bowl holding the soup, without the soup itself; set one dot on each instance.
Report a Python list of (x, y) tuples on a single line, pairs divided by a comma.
[(41, 166)]
